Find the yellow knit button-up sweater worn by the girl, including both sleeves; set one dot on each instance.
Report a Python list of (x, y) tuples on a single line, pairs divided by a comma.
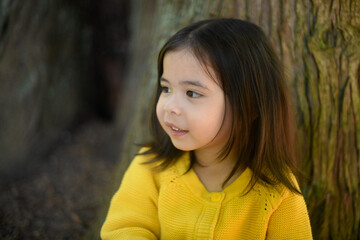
[(173, 204)]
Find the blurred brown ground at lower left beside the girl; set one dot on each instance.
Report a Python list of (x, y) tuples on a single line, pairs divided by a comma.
[(66, 196)]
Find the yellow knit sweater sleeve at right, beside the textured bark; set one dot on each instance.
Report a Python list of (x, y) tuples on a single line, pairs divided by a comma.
[(290, 220)]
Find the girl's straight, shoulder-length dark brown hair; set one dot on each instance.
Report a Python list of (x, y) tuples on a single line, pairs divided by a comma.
[(253, 81)]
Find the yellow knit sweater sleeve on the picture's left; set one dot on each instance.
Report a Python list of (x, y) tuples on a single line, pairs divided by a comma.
[(133, 209)]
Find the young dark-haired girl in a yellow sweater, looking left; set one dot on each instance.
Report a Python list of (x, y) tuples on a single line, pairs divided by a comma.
[(221, 164)]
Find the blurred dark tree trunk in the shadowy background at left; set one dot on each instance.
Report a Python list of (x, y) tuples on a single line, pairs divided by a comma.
[(44, 76)]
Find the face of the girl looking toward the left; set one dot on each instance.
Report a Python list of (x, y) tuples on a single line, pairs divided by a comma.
[(191, 107)]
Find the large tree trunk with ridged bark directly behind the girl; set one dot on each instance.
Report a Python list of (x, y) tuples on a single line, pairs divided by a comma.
[(318, 42)]
